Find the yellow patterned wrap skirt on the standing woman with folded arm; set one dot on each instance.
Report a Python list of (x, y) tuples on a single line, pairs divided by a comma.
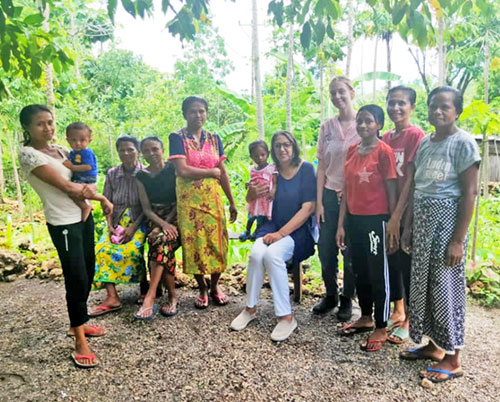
[(202, 222)]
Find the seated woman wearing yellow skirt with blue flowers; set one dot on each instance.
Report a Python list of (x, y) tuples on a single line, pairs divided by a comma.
[(120, 251)]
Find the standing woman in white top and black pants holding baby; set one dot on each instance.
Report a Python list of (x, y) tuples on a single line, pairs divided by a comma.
[(43, 164)]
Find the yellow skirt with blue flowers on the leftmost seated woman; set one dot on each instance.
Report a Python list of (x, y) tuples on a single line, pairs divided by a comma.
[(120, 263)]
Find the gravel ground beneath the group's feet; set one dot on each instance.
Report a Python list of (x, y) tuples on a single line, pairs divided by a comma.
[(194, 356)]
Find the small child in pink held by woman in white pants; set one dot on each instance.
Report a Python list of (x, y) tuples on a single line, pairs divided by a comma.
[(264, 174)]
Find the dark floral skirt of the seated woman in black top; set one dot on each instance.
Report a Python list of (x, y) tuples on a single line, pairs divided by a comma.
[(162, 250)]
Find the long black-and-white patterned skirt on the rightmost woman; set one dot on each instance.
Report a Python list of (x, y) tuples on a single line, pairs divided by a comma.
[(437, 292)]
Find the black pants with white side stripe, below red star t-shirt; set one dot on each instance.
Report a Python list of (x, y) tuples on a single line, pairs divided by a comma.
[(369, 261)]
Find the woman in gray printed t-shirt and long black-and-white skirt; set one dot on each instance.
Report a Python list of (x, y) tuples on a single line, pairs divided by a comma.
[(445, 185)]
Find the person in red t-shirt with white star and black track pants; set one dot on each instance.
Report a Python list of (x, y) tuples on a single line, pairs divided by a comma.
[(370, 197)]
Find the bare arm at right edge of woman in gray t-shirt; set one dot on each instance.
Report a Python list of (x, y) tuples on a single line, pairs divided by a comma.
[(468, 186)]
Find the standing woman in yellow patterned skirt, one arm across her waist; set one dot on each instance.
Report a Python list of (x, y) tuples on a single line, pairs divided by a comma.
[(199, 157)]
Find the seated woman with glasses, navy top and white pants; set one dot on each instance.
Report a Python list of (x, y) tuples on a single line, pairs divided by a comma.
[(287, 236)]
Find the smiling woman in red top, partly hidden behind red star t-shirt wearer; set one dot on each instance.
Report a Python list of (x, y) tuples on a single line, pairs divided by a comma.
[(404, 139)]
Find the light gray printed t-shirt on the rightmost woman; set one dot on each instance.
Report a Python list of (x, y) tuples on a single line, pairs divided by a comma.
[(438, 164)]
